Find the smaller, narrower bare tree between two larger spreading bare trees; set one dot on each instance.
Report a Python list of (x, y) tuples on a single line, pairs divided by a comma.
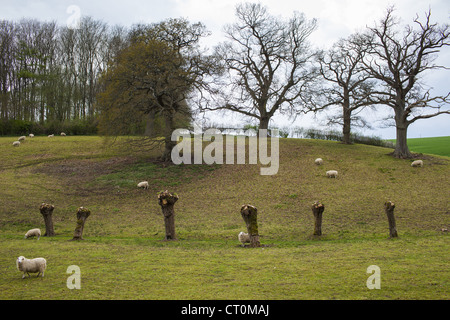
[(351, 86)]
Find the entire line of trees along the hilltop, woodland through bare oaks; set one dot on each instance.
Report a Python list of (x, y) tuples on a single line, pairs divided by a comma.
[(150, 78)]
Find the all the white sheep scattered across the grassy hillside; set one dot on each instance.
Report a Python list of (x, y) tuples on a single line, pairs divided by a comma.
[(38, 265)]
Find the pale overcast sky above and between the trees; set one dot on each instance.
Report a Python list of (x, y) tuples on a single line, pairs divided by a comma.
[(336, 19)]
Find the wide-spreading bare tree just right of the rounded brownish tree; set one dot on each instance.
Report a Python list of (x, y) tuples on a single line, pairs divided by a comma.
[(268, 62)]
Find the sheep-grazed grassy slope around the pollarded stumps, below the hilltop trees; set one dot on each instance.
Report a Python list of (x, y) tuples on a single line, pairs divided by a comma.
[(123, 255)]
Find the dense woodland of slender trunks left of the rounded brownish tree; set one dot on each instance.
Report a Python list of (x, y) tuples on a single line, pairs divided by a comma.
[(50, 73)]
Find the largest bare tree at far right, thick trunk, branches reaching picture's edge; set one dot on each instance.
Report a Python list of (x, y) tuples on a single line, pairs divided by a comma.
[(398, 60)]
